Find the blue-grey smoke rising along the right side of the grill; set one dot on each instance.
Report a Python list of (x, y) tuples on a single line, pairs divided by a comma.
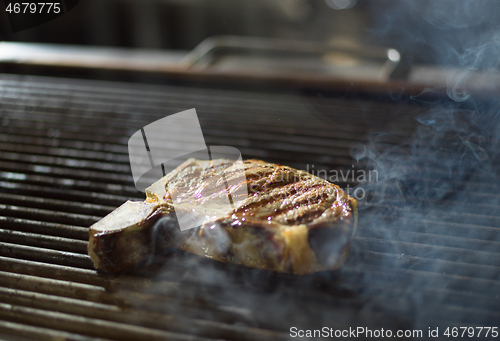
[(445, 175)]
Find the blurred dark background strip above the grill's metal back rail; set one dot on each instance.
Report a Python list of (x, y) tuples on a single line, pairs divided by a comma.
[(422, 30)]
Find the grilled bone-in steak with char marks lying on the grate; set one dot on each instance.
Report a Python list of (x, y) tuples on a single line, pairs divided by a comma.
[(290, 221)]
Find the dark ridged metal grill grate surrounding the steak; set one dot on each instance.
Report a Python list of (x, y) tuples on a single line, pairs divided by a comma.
[(64, 164)]
